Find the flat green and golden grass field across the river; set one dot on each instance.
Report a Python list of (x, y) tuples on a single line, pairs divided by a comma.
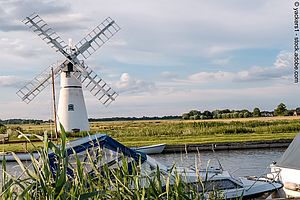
[(138, 133)]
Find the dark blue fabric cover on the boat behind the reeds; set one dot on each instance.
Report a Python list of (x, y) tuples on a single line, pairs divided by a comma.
[(91, 141)]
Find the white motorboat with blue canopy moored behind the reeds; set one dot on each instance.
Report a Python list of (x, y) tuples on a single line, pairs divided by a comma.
[(112, 152)]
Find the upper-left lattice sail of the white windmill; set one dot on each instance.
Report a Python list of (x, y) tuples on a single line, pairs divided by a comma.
[(42, 29)]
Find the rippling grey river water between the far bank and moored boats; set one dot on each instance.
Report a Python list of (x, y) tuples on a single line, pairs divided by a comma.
[(250, 162)]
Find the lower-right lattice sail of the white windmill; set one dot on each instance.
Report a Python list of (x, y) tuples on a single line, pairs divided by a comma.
[(99, 88)]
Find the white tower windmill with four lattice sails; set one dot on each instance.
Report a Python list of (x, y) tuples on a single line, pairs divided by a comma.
[(73, 72)]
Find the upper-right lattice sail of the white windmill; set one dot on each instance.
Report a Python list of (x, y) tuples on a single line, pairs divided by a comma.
[(96, 38)]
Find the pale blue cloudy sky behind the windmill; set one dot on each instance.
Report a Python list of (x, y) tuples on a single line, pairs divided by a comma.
[(169, 57)]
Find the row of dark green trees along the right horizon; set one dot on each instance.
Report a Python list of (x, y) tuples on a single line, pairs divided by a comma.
[(280, 110)]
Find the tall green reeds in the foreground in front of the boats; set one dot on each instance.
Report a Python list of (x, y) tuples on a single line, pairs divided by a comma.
[(119, 181)]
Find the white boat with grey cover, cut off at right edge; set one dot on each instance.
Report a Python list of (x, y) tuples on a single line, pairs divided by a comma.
[(287, 170)]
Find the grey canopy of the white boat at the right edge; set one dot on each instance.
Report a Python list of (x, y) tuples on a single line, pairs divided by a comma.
[(291, 157)]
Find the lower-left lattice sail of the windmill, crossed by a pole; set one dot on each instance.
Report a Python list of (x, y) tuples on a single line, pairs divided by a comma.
[(40, 82)]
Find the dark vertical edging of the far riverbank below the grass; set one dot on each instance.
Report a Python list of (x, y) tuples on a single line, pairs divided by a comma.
[(187, 148)]
